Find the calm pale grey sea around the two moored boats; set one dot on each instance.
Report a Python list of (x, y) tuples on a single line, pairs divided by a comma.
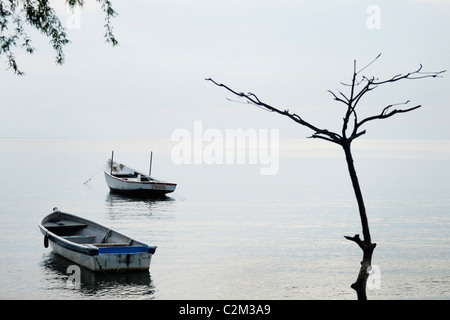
[(229, 232)]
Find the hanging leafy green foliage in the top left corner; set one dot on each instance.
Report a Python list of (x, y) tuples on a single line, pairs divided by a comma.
[(18, 15)]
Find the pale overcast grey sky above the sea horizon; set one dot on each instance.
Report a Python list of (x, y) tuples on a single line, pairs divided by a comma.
[(287, 52)]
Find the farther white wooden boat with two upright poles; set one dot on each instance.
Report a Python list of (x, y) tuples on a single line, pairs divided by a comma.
[(125, 180)]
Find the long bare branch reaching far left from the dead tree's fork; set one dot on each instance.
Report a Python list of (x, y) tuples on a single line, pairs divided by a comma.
[(253, 99)]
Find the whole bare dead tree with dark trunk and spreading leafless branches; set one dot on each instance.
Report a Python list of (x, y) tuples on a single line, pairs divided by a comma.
[(351, 129)]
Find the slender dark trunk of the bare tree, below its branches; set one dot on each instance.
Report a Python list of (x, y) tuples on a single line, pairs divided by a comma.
[(366, 244)]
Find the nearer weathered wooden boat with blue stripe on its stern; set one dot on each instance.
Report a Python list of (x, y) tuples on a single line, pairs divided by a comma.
[(92, 245)]
